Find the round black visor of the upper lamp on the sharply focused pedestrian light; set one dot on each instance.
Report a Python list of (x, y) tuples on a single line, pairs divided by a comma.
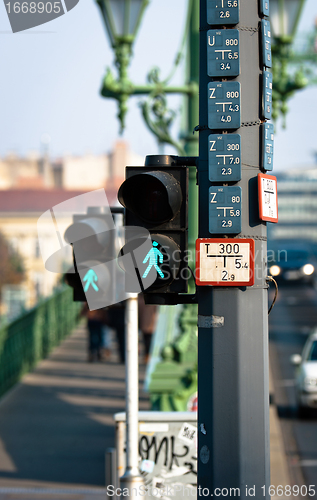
[(155, 197)]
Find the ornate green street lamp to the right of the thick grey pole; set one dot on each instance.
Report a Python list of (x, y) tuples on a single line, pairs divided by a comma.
[(284, 17)]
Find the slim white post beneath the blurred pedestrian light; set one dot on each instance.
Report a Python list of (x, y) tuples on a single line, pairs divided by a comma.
[(131, 478)]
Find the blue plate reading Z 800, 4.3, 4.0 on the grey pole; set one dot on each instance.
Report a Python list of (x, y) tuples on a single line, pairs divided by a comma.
[(224, 108)]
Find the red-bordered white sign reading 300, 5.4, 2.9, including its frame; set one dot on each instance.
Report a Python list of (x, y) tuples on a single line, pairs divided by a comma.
[(224, 262)]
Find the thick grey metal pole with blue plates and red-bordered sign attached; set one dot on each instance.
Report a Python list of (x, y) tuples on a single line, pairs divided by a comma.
[(233, 391)]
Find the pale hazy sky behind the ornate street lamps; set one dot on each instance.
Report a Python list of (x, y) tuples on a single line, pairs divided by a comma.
[(51, 76)]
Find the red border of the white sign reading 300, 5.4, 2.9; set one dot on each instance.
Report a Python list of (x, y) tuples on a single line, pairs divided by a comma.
[(224, 283)]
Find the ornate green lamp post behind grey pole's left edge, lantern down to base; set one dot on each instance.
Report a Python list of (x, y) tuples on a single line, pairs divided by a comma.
[(122, 30)]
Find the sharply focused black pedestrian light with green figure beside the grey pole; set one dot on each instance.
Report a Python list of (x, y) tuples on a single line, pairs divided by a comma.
[(155, 198)]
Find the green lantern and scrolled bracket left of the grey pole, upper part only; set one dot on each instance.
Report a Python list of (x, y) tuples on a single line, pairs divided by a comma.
[(122, 19)]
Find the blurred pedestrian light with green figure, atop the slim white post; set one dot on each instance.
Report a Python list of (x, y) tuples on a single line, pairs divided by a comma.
[(92, 278)]
